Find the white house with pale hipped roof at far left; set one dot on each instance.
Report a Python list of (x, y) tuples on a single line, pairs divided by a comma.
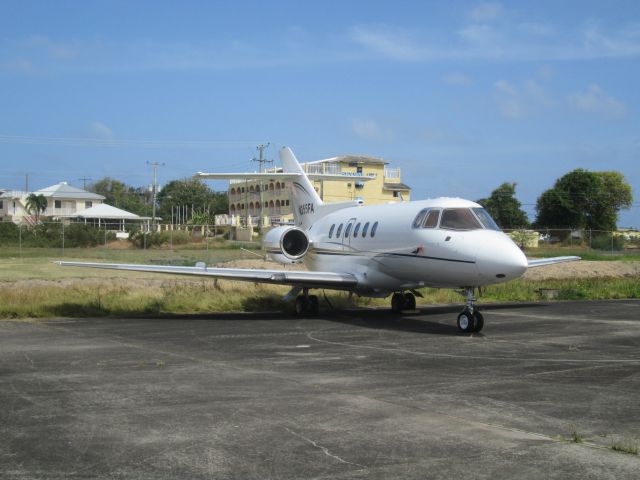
[(62, 199)]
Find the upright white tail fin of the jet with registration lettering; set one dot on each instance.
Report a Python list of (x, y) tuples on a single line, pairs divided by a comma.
[(305, 201)]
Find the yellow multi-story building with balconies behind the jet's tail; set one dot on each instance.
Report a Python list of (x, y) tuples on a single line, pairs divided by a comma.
[(253, 198)]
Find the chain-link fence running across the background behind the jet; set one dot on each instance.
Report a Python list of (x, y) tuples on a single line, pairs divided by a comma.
[(67, 238)]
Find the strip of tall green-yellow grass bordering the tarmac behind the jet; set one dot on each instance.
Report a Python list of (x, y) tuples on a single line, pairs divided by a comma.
[(129, 295)]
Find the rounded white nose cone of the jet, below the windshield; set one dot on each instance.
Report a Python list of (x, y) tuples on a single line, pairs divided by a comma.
[(502, 261)]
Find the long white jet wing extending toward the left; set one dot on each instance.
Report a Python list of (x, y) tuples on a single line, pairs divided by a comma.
[(340, 281)]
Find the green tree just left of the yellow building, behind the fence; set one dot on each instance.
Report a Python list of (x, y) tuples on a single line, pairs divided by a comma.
[(192, 193)]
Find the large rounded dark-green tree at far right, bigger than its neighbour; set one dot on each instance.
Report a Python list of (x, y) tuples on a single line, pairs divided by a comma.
[(584, 199)]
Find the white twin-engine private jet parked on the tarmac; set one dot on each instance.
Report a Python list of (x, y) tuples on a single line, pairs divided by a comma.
[(374, 251)]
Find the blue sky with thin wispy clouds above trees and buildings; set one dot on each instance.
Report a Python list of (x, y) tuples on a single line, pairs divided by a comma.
[(462, 96)]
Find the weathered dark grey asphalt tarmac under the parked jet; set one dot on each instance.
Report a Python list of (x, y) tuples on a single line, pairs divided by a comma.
[(544, 391)]
